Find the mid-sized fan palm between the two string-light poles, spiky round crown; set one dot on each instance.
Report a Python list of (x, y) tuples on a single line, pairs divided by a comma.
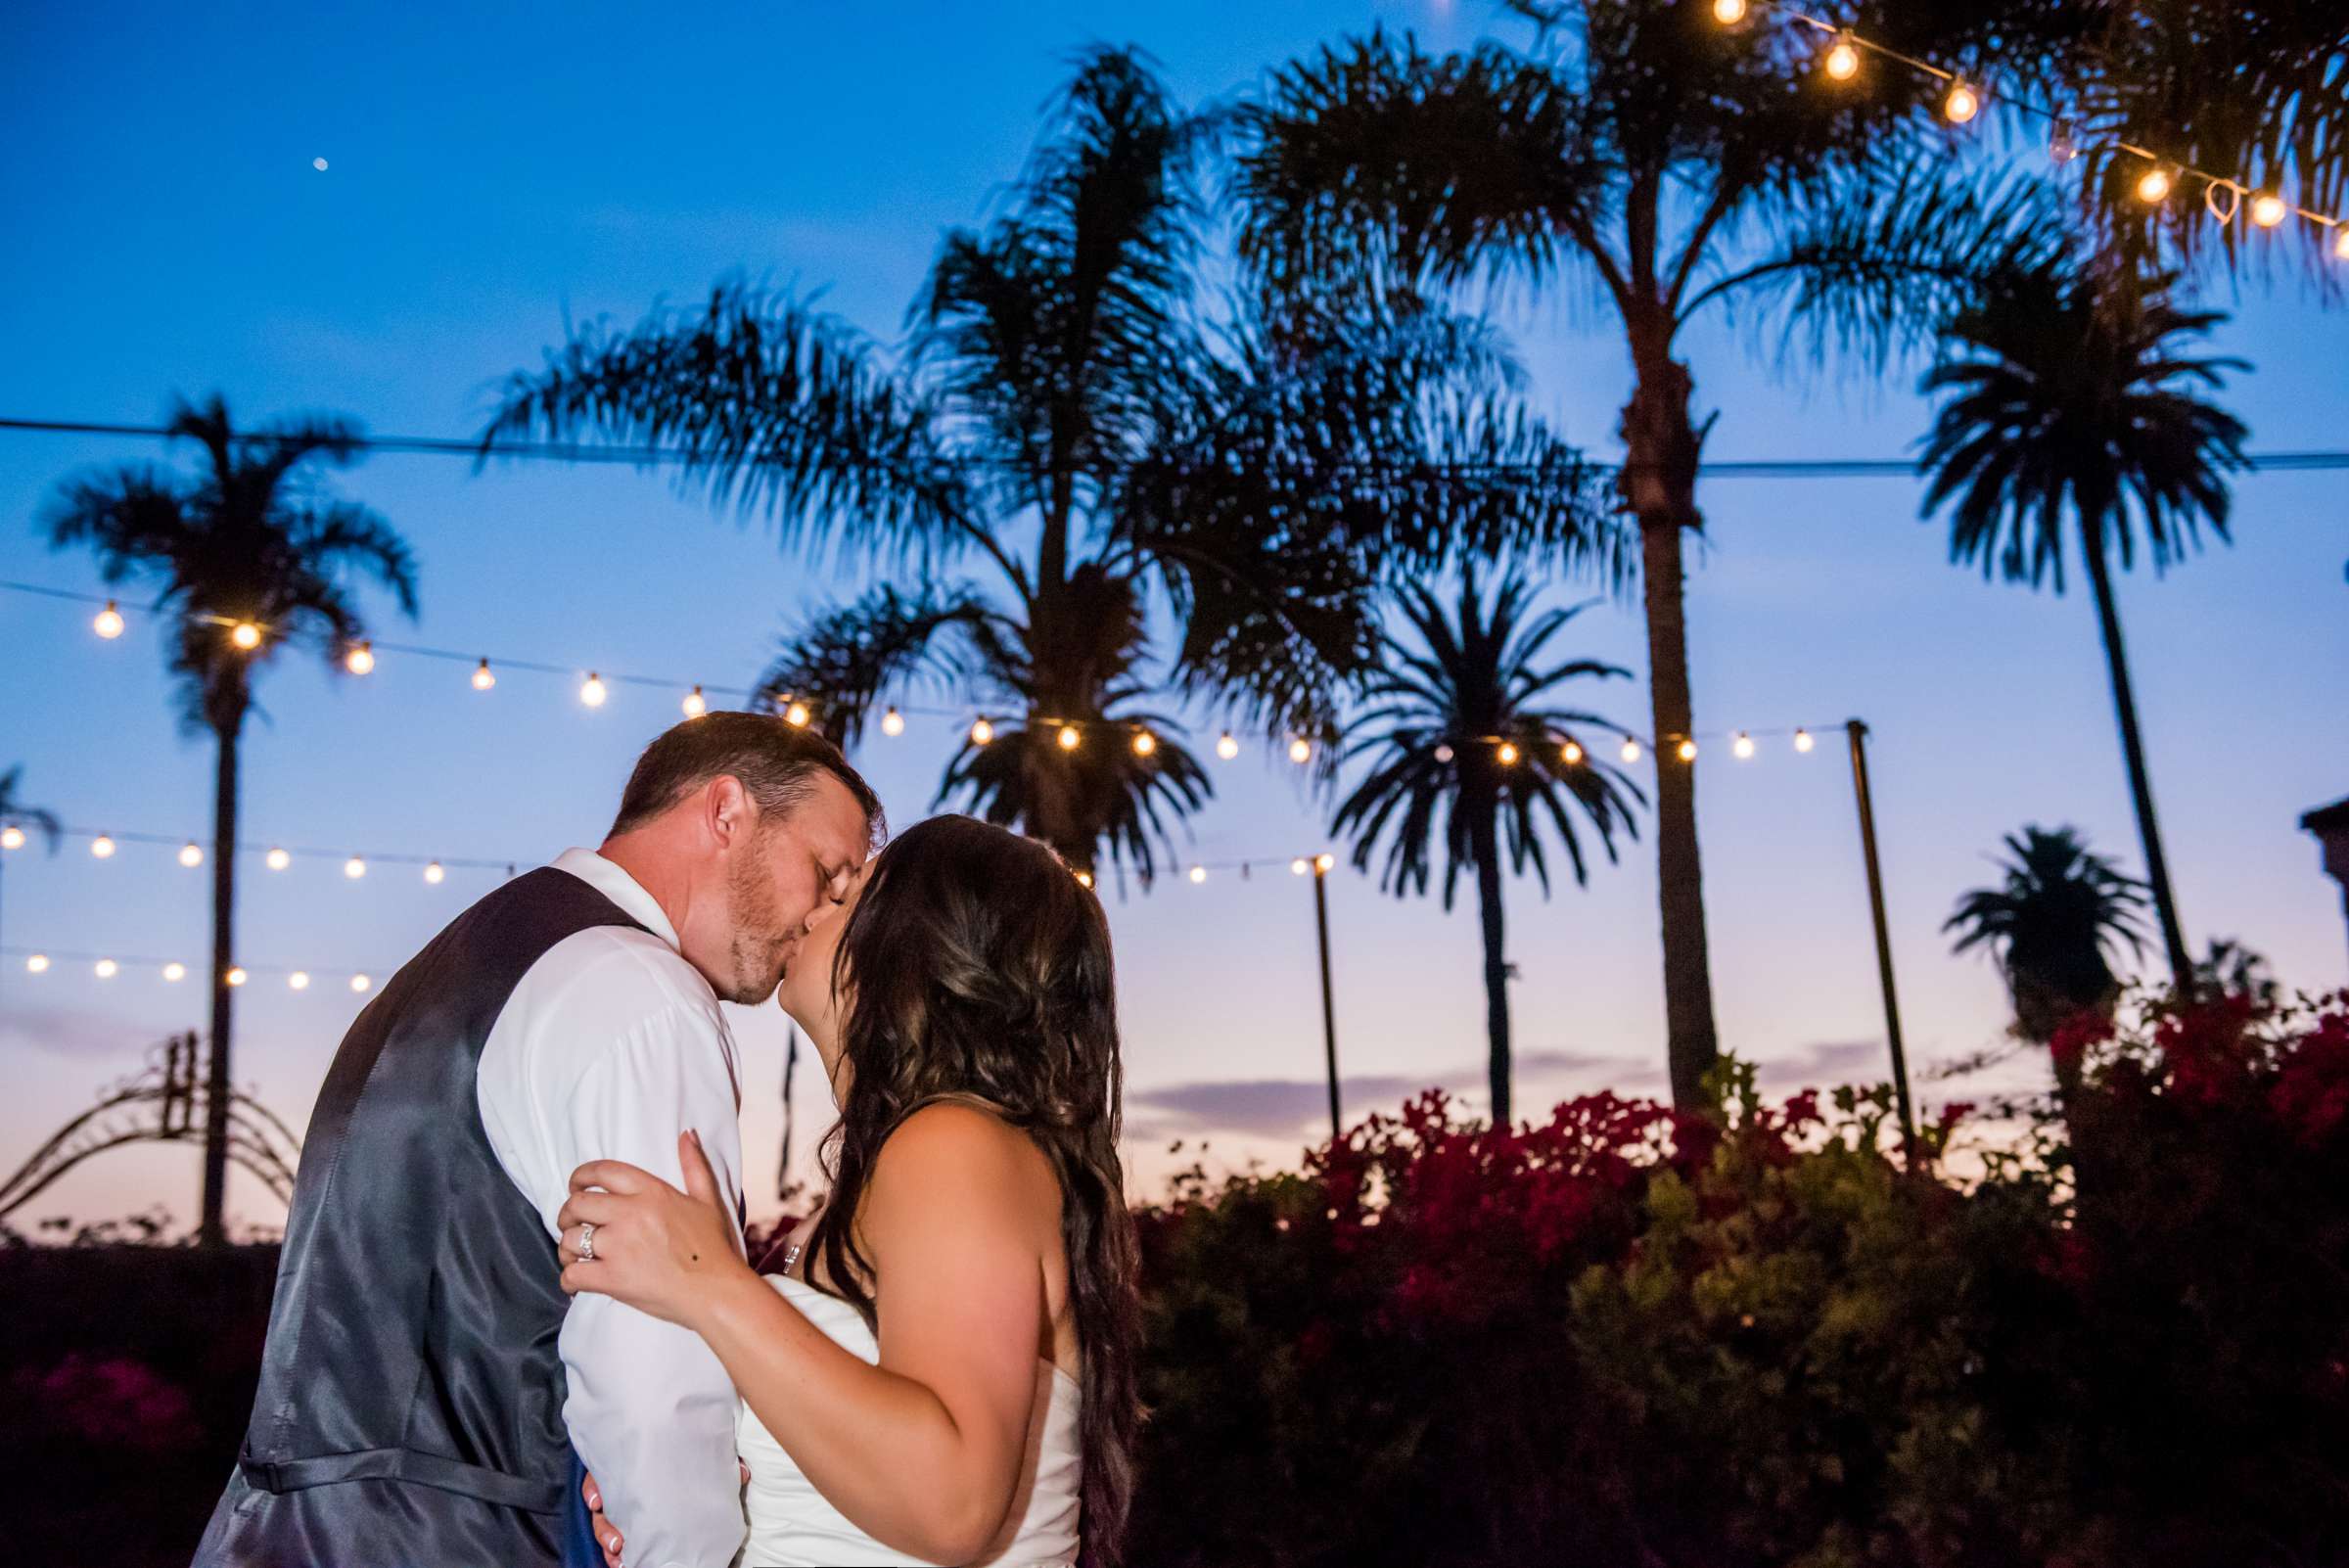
[(1460, 726)]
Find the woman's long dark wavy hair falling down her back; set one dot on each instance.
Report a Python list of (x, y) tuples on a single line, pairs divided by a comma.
[(978, 968)]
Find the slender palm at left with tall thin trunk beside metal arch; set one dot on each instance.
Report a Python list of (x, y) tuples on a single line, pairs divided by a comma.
[(250, 557)]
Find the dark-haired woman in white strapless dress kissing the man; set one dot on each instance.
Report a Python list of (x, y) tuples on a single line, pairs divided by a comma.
[(945, 1367)]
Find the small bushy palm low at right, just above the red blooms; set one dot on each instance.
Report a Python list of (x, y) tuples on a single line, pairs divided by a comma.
[(2054, 928)]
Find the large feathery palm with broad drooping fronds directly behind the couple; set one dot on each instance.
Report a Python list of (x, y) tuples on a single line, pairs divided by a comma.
[(1070, 421)]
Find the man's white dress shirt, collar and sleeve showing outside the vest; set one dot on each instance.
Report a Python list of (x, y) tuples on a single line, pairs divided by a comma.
[(610, 1048)]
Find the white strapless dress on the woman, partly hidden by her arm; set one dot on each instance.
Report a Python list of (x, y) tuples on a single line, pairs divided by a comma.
[(793, 1527)]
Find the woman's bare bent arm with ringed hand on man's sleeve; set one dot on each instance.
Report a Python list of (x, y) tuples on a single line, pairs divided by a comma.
[(922, 1452)]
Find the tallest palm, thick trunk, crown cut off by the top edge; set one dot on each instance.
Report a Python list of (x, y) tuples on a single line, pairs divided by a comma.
[(1676, 165)]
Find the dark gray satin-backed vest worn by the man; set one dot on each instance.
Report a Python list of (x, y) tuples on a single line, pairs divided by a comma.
[(412, 1395)]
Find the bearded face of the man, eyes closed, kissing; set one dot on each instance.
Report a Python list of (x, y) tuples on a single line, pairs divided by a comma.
[(788, 881)]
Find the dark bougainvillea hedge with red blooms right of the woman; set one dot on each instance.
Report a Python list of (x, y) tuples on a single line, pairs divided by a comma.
[(1770, 1337)]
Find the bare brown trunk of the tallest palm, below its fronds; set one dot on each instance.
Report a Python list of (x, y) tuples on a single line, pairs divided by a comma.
[(1660, 487)]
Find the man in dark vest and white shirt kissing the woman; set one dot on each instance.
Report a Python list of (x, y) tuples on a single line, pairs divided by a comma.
[(424, 1395)]
